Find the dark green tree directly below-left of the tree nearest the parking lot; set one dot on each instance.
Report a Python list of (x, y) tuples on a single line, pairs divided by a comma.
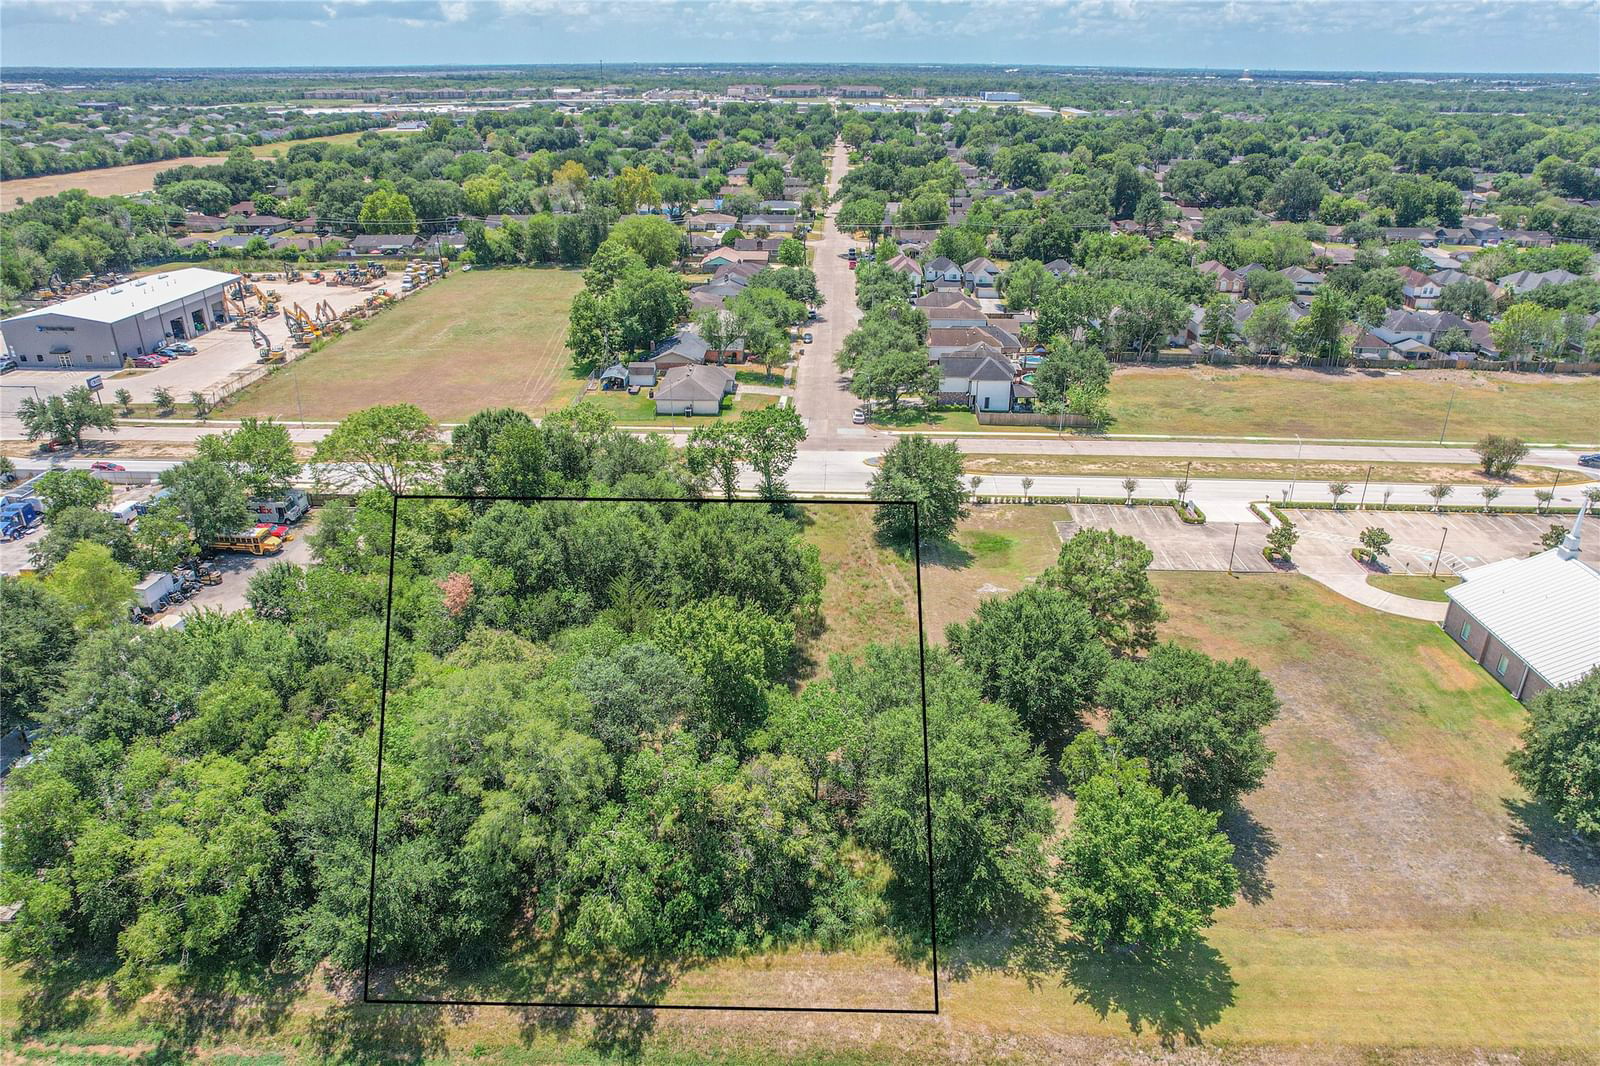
[(1038, 652)]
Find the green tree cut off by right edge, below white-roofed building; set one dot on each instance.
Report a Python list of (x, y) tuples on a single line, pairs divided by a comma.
[(1559, 761)]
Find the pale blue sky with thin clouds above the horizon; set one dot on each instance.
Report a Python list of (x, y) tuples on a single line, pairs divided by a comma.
[(1470, 36)]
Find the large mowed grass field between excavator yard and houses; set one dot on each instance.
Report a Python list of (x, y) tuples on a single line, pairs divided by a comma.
[(474, 340)]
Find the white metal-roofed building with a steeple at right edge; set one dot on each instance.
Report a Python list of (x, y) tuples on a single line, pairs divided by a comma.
[(1530, 622)]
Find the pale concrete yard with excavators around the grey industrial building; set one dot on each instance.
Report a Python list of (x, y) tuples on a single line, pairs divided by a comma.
[(218, 355)]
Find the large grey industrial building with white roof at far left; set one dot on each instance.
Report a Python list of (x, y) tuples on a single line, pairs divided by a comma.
[(103, 329)]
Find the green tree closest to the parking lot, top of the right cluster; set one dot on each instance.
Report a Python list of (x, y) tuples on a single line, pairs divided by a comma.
[(1110, 575)]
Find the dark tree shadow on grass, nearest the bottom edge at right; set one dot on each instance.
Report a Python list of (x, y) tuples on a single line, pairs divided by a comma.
[(1177, 995)]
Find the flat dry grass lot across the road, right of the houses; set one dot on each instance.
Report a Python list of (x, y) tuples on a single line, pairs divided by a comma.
[(1353, 404)]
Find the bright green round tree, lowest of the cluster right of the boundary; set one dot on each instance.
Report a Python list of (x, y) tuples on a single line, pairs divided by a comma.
[(1142, 868)]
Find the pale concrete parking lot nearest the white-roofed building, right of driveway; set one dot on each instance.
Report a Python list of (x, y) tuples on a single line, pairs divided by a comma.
[(1470, 540)]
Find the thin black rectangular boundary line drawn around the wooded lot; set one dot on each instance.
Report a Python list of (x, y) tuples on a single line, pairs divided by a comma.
[(927, 764)]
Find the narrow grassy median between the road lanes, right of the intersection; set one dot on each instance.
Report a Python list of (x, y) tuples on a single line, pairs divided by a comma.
[(1308, 471)]
